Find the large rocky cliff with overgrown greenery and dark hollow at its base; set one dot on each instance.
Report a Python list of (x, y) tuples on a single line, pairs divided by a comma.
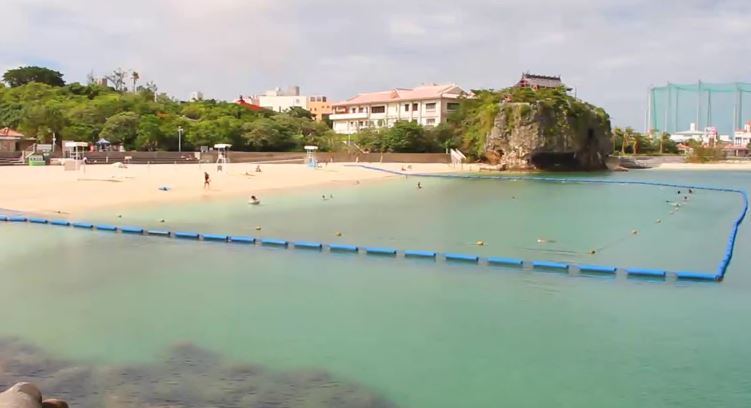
[(564, 134)]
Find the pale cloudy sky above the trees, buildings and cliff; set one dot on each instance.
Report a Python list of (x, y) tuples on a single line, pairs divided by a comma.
[(610, 51)]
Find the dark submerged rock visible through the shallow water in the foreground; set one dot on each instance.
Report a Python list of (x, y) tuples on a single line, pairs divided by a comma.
[(188, 377)]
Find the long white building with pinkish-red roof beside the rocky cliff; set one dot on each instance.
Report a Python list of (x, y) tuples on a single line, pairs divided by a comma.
[(427, 105)]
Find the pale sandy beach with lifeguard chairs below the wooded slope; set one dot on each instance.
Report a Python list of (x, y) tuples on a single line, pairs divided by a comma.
[(52, 190)]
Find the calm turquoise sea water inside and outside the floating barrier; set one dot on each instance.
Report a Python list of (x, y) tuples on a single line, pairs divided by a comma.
[(417, 334)]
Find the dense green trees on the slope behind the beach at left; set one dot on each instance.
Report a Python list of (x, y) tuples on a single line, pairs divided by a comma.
[(39, 103)]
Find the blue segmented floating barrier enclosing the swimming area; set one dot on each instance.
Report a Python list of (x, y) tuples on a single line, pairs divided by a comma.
[(509, 263)]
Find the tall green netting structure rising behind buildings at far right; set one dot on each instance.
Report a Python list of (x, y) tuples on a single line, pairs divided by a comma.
[(674, 107)]
